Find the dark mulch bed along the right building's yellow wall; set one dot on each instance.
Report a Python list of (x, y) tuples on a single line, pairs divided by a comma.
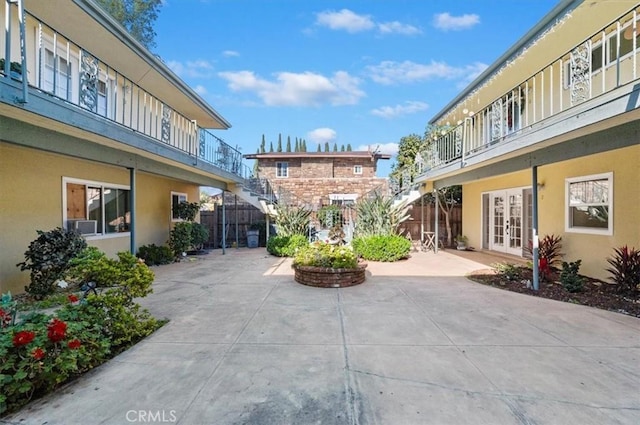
[(596, 293)]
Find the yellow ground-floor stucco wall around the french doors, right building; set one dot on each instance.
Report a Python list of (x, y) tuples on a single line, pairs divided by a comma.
[(591, 249)]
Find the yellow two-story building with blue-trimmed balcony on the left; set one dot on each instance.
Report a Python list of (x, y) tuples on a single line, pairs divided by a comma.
[(96, 134)]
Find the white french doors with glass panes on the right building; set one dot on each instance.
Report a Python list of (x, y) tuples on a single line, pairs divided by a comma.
[(508, 221)]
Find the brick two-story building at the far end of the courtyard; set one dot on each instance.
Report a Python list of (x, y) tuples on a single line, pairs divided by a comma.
[(314, 179)]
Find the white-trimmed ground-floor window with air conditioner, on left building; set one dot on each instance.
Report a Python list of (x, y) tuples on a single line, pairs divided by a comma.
[(104, 207)]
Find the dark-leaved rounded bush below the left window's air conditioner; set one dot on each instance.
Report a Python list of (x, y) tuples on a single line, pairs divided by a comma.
[(48, 258)]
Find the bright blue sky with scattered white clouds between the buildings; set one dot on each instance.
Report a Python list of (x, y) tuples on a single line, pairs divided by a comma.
[(365, 72)]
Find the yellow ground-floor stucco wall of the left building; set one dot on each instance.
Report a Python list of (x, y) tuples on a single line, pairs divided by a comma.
[(31, 199)]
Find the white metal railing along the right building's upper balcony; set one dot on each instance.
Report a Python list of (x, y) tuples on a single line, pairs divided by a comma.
[(605, 61)]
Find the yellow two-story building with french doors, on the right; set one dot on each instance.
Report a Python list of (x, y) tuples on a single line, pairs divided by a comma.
[(547, 139)]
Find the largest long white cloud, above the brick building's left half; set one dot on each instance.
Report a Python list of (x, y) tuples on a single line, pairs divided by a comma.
[(298, 89)]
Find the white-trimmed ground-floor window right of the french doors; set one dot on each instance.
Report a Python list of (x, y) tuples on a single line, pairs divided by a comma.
[(589, 204)]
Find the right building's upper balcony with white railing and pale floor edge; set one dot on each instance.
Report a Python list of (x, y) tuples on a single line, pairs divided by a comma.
[(594, 82)]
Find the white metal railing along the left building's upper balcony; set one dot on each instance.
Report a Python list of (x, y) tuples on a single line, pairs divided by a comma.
[(61, 68)]
